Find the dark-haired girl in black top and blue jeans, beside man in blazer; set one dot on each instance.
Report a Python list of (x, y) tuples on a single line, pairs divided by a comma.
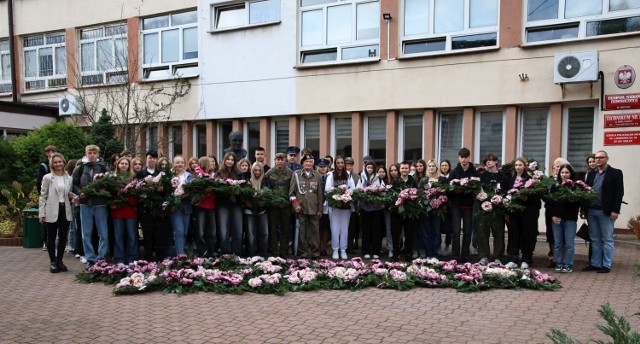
[(564, 217)]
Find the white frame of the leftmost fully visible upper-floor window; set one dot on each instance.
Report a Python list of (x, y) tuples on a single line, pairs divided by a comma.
[(53, 81)]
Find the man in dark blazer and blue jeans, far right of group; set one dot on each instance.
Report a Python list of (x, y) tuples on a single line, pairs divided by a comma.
[(607, 182)]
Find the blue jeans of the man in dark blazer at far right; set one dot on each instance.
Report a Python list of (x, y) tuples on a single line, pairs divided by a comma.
[(601, 232)]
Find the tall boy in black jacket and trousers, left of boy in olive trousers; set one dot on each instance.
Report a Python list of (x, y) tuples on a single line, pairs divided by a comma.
[(462, 208)]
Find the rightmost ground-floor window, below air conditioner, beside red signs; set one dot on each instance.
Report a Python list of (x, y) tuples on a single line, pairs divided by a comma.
[(579, 144)]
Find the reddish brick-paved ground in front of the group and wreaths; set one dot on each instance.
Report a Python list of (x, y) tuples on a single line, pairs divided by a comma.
[(39, 307)]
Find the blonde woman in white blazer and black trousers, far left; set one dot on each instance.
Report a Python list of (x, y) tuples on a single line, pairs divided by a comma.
[(55, 209)]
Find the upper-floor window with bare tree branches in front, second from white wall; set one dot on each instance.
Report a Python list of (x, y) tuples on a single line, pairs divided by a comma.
[(103, 55)]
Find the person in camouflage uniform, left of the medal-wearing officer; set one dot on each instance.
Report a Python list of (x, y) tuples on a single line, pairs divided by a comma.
[(279, 178)]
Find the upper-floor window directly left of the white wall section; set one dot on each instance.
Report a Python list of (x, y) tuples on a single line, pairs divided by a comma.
[(170, 45)]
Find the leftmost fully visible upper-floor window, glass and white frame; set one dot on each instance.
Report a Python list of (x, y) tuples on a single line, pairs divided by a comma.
[(45, 61)]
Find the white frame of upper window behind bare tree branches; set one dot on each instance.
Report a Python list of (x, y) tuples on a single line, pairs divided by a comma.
[(117, 72)]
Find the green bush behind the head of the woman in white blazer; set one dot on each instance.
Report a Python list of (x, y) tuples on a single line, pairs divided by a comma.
[(29, 149)]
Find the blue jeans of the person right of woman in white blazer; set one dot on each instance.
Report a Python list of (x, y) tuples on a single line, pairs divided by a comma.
[(88, 215)]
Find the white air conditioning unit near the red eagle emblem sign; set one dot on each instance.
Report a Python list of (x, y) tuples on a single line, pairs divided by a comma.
[(579, 66)]
